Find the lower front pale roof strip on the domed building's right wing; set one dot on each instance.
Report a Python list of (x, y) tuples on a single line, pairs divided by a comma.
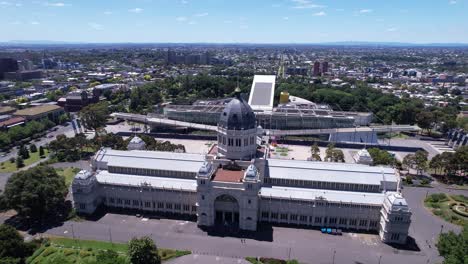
[(318, 194)]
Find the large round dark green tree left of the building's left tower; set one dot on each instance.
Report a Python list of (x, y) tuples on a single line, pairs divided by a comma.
[(36, 193)]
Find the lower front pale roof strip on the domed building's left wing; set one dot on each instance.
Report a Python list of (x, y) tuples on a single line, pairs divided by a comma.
[(105, 177)]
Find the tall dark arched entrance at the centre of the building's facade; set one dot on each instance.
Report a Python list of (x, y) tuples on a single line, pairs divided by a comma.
[(226, 210)]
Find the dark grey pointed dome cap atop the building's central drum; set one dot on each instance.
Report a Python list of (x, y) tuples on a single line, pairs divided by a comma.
[(237, 115)]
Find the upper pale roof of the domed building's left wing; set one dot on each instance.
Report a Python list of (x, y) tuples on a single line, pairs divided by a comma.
[(157, 160)]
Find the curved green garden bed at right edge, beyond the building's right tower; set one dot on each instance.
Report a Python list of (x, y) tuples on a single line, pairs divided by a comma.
[(440, 205)]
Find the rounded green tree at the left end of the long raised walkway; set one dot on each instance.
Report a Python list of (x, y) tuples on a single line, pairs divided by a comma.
[(94, 116)]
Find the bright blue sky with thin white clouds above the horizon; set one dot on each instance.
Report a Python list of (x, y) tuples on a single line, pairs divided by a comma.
[(254, 21)]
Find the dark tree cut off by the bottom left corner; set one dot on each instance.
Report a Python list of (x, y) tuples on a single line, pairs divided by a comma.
[(12, 245)]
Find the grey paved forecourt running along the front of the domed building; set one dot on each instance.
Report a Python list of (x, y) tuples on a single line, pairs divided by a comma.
[(309, 246)]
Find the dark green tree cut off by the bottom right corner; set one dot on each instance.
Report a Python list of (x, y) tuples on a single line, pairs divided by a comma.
[(453, 247)]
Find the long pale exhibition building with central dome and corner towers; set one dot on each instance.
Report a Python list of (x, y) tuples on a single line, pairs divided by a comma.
[(236, 184)]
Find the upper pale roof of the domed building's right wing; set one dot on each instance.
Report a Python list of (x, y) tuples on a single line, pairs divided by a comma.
[(330, 172)]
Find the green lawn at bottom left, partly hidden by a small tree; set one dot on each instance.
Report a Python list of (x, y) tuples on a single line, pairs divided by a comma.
[(66, 250)]
